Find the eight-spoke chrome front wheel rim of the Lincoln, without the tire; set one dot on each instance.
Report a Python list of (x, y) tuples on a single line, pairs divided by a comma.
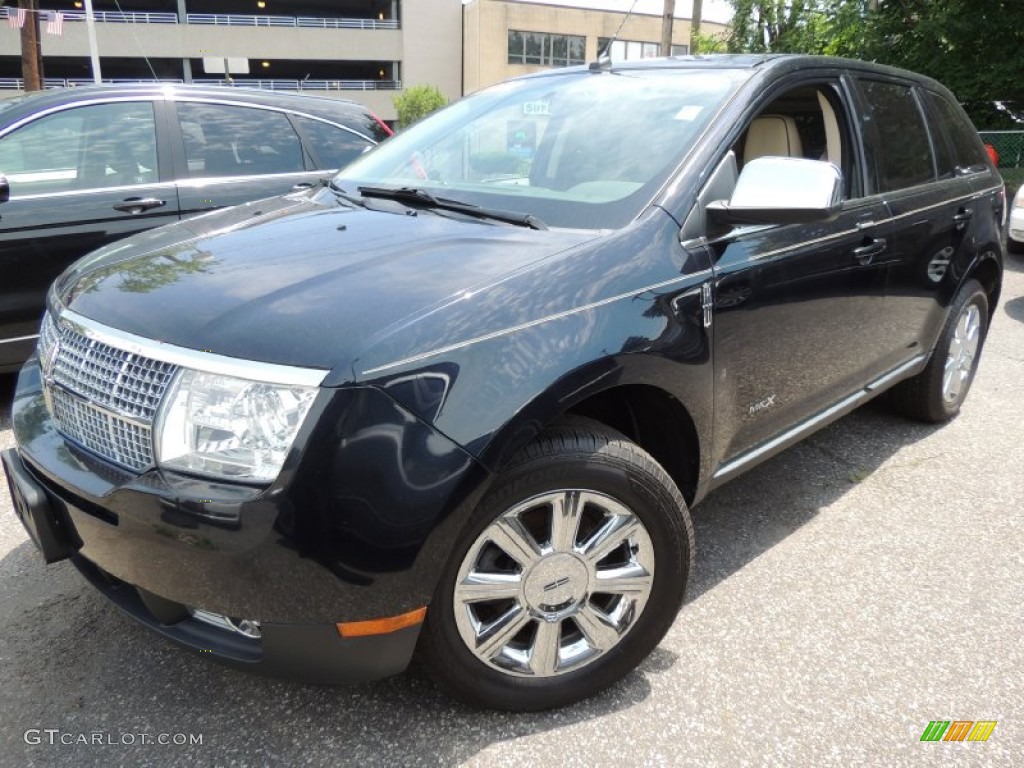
[(554, 583)]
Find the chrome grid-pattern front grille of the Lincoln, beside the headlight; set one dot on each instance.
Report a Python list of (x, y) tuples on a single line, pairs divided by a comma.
[(103, 398)]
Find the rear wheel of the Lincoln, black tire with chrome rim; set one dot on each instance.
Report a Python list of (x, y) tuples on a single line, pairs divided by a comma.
[(936, 394)]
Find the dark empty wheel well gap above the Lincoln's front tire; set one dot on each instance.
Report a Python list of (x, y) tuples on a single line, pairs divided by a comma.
[(658, 423)]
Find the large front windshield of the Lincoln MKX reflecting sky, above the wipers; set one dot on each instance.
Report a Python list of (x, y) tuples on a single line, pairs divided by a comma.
[(579, 150)]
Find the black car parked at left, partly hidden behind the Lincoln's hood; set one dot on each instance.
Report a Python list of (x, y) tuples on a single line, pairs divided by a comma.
[(82, 167)]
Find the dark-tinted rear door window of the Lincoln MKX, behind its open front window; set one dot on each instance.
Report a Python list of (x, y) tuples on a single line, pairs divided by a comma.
[(904, 155)]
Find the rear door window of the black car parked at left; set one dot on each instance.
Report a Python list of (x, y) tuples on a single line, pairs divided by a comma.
[(230, 141)]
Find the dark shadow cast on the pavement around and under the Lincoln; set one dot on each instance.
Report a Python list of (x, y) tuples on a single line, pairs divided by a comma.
[(71, 662)]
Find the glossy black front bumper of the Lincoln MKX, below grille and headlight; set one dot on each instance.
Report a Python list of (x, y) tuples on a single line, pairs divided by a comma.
[(336, 540)]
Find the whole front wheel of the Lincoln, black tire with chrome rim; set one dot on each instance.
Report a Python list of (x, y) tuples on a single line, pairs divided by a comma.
[(570, 573)]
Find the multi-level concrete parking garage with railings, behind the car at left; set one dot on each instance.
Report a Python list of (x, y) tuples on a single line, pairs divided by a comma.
[(367, 51)]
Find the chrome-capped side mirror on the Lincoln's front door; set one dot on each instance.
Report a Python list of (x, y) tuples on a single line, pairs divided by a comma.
[(782, 191)]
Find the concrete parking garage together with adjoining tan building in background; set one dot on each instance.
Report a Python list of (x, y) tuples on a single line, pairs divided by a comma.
[(368, 51)]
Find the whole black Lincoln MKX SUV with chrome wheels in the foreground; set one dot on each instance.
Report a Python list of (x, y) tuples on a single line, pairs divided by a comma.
[(462, 399)]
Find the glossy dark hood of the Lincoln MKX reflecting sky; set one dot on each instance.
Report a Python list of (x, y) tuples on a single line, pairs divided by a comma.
[(292, 281)]
